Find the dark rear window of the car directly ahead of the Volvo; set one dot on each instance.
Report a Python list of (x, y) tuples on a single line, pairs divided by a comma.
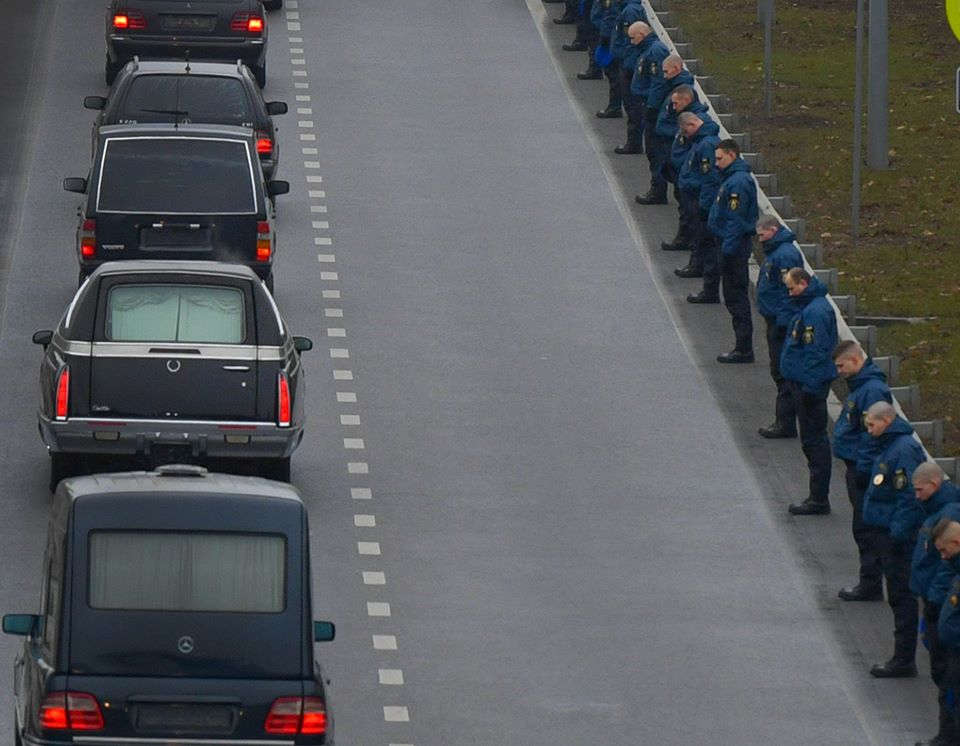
[(186, 98)]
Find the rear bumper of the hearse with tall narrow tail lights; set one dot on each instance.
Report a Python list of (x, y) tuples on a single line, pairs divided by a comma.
[(162, 438)]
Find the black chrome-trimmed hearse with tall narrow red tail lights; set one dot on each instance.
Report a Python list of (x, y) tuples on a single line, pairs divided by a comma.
[(169, 362)]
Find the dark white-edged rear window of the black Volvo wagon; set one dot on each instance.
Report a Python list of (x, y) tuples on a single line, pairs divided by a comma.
[(176, 176)]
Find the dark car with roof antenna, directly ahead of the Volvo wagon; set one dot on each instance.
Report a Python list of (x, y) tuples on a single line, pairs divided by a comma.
[(155, 91)]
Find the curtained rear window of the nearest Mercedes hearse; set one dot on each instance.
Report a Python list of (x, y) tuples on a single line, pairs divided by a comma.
[(187, 571)]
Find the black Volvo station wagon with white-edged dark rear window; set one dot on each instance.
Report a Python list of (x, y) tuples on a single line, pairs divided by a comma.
[(168, 191)]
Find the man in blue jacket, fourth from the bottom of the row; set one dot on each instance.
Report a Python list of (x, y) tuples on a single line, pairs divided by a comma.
[(866, 385)]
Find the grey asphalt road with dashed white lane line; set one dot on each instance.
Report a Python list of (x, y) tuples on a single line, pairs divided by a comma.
[(539, 512)]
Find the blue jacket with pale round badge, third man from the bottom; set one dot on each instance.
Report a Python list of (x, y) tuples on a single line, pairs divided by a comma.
[(889, 501)]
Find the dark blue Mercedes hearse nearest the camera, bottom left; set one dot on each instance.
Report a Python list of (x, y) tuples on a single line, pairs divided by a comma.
[(175, 608)]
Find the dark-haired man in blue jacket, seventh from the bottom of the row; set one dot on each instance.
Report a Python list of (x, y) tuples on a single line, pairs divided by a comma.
[(732, 220)]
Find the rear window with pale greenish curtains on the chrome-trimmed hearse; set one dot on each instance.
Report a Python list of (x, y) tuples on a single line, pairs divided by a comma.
[(175, 313)]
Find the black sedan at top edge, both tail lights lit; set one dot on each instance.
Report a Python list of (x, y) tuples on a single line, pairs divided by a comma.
[(174, 29)]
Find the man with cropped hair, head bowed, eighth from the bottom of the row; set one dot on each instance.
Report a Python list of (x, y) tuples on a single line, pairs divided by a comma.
[(697, 169)]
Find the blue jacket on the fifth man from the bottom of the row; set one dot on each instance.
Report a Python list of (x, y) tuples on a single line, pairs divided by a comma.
[(807, 355)]
